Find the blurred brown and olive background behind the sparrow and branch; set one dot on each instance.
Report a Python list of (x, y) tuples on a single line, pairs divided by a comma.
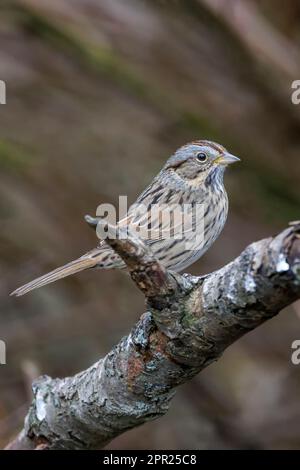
[(99, 94)]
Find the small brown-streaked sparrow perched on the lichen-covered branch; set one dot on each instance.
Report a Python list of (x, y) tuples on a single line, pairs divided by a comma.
[(191, 178)]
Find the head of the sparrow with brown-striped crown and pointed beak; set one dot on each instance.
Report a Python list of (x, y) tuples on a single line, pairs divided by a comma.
[(200, 161)]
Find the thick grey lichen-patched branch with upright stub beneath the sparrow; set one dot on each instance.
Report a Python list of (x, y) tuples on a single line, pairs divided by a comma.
[(189, 322)]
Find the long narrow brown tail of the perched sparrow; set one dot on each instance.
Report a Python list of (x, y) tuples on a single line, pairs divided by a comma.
[(89, 260)]
